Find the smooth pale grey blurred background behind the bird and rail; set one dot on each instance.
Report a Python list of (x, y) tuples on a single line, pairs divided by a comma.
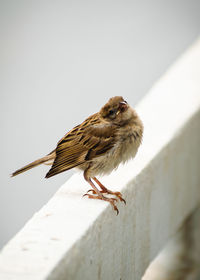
[(60, 62)]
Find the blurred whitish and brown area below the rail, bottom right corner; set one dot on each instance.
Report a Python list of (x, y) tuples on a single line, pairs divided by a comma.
[(180, 259)]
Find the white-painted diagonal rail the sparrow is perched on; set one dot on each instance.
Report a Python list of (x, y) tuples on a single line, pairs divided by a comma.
[(76, 238)]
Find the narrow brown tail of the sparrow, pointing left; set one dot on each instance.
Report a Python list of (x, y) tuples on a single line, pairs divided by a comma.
[(46, 160)]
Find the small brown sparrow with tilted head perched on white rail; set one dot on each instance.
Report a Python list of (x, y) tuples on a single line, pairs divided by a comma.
[(97, 146)]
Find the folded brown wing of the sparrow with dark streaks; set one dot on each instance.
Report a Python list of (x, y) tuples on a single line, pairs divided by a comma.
[(83, 143)]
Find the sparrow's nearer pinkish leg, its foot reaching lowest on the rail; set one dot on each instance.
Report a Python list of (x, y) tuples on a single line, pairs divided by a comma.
[(99, 195)]
